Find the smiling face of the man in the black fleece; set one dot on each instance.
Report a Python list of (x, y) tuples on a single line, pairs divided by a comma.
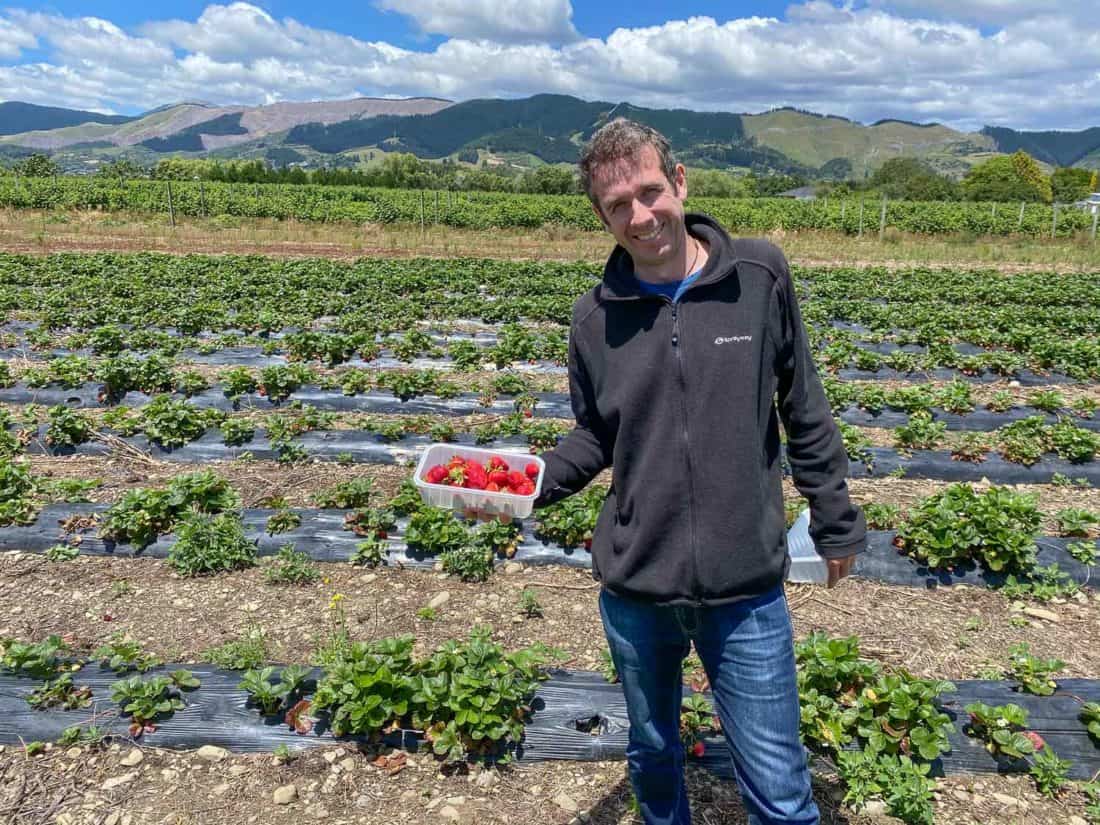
[(642, 208)]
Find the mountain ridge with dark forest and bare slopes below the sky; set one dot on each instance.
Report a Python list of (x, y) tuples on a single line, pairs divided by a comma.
[(545, 128)]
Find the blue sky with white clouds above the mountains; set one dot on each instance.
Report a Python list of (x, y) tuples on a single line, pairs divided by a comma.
[(1022, 63)]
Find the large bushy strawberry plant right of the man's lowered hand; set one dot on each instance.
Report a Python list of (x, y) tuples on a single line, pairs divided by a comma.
[(996, 529)]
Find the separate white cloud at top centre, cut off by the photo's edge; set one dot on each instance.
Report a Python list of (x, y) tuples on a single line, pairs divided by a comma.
[(503, 21)]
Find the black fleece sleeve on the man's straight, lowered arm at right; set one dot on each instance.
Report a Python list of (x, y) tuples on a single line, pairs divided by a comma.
[(815, 448)]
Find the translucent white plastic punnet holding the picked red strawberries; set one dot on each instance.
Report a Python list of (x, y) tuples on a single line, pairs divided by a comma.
[(461, 499)]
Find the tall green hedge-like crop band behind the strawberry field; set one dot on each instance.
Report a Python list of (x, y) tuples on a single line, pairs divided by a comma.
[(493, 210)]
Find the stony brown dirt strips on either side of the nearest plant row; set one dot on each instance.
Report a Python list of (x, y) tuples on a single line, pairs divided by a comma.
[(963, 632)]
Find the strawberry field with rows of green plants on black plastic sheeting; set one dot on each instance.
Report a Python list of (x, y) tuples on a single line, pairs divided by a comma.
[(213, 541)]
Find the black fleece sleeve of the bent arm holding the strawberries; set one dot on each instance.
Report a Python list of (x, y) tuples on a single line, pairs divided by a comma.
[(585, 450)]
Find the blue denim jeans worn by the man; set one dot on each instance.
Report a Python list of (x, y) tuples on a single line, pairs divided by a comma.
[(747, 650)]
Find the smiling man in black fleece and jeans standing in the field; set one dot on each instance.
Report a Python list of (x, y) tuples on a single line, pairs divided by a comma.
[(676, 361)]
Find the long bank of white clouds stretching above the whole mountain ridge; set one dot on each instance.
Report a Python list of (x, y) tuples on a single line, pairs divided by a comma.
[(866, 64)]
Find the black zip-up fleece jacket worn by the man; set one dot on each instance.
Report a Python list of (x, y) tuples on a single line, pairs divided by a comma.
[(679, 400)]
